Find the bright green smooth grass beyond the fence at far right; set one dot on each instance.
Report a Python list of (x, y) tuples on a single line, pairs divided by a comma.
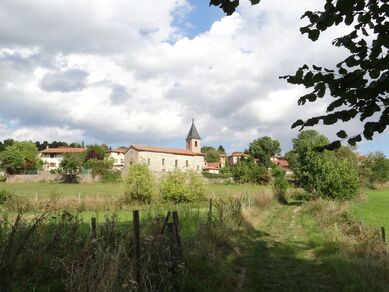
[(374, 211)]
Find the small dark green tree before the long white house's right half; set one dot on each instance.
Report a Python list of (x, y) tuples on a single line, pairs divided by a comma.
[(70, 167)]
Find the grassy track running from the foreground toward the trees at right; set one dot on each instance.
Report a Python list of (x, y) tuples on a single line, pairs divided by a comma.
[(279, 257)]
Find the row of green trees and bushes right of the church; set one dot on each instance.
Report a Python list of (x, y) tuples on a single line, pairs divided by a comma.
[(336, 174)]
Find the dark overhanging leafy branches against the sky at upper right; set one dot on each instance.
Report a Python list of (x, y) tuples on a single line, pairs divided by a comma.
[(360, 83)]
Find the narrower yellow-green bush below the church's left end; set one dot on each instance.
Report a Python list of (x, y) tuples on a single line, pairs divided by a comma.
[(139, 183)]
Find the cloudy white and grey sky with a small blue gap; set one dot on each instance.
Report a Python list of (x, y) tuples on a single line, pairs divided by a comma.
[(137, 71)]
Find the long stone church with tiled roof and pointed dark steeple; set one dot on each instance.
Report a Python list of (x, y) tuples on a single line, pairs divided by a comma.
[(169, 159)]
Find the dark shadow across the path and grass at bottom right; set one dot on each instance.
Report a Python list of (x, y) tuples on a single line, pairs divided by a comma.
[(267, 264)]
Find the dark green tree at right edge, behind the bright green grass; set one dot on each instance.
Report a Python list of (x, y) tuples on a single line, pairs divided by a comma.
[(375, 169)]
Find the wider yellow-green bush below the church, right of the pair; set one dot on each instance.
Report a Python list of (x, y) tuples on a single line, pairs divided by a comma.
[(179, 187)]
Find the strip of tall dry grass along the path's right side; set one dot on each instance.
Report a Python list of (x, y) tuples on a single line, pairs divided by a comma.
[(354, 253)]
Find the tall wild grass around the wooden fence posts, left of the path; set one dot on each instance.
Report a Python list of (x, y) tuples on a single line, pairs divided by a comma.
[(53, 249)]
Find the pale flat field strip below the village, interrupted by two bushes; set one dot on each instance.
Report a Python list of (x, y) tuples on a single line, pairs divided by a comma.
[(46, 190)]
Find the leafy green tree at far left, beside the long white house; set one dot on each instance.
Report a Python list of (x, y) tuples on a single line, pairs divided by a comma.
[(20, 156)]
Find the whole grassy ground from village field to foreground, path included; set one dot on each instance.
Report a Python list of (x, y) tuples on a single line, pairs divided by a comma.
[(250, 242)]
